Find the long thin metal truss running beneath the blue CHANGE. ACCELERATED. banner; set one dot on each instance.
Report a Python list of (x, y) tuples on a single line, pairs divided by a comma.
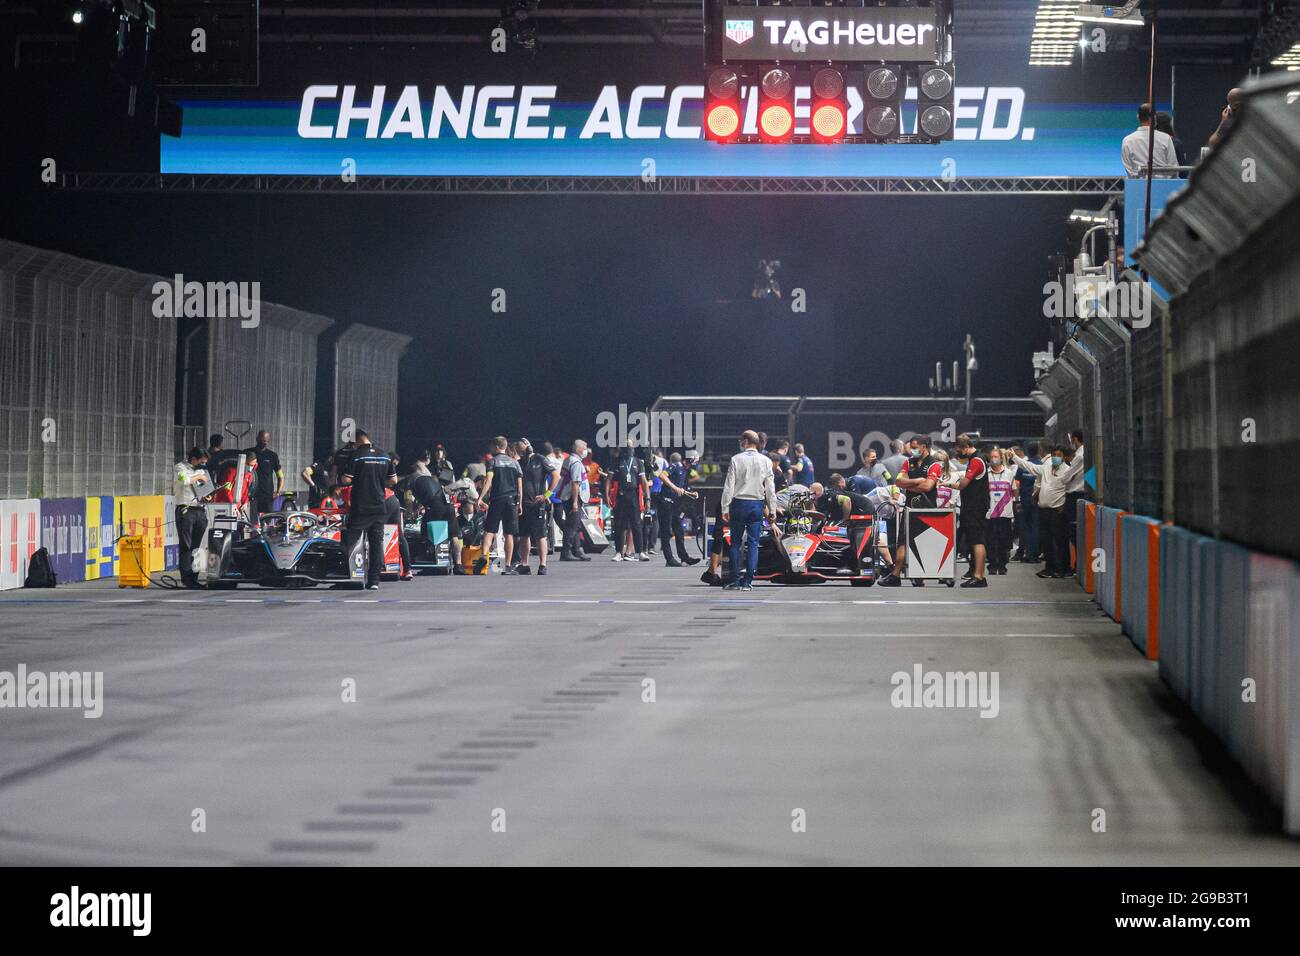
[(593, 185)]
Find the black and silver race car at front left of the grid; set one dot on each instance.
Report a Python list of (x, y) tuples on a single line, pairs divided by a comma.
[(292, 550)]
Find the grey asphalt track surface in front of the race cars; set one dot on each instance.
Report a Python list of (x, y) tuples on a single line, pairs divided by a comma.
[(521, 700)]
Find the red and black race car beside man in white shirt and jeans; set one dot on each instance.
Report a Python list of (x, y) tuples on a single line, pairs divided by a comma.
[(805, 547)]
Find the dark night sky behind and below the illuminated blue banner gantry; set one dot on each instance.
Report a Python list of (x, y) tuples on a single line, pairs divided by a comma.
[(610, 300)]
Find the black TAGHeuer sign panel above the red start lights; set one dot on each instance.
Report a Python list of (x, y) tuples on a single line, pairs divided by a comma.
[(905, 34)]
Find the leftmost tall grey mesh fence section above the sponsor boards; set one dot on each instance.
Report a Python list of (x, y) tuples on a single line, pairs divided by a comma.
[(86, 404)]
